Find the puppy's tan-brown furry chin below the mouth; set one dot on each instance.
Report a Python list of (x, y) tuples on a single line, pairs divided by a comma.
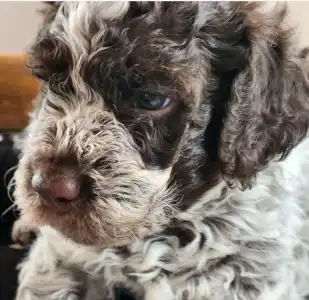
[(81, 226)]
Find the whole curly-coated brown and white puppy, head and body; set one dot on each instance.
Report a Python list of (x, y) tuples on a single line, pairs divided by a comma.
[(167, 155)]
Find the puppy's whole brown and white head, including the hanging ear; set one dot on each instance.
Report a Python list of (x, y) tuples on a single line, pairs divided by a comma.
[(146, 106)]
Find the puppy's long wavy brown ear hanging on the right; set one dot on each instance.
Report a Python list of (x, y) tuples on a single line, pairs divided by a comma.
[(268, 112)]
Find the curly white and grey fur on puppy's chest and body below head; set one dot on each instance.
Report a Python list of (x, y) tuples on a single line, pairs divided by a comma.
[(225, 246)]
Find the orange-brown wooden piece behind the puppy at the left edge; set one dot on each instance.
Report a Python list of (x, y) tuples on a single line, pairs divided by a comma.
[(17, 90)]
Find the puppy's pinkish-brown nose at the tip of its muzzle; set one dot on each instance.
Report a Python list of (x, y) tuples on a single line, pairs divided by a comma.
[(59, 189)]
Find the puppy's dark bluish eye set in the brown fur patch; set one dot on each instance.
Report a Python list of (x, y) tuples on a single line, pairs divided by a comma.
[(150, 101)]
